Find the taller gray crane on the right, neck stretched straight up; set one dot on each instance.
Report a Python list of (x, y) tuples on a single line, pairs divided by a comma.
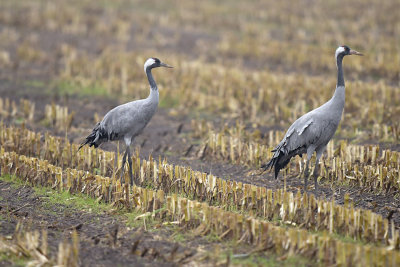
[(312, 131)]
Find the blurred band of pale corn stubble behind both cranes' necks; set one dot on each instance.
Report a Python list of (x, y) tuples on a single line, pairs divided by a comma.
[(258, 97)]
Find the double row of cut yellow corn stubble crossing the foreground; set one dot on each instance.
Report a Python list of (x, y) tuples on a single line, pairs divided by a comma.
[(237, 211)]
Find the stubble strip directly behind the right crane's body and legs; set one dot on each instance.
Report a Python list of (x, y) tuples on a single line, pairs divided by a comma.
[(366, 166)]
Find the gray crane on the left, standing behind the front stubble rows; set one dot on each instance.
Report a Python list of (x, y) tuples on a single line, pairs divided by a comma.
[(127, 121)]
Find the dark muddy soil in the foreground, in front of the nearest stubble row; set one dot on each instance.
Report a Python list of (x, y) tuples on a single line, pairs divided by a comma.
[(105, 239)]
